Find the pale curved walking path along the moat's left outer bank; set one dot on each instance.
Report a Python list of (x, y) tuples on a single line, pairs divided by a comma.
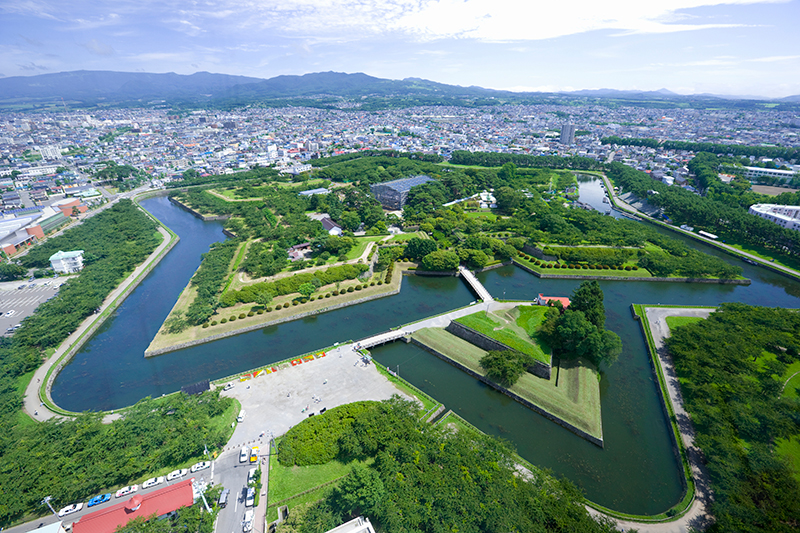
[(32, 403)]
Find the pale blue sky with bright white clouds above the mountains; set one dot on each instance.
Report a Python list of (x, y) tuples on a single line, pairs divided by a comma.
[(740, 47)]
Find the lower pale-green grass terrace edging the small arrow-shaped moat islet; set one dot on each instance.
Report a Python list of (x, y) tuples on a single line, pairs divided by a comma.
[(571, 394)]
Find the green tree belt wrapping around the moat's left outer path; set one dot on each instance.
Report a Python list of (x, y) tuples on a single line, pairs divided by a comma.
[(75, 458)]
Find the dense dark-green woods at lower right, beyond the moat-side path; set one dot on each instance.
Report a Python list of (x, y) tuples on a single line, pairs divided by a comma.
[(733, 387)]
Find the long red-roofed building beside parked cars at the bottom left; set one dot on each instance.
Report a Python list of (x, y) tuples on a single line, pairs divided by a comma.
[(157, 503)]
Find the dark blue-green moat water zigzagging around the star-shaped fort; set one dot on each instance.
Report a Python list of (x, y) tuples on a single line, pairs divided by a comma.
[(636, 472)]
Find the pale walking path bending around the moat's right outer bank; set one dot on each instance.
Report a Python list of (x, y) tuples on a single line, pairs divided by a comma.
[(697, 518)]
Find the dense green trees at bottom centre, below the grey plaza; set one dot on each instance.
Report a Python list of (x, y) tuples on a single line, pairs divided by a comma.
[(412, 476)]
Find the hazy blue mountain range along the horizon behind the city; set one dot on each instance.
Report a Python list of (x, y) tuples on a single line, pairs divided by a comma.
[(87, 89)]
